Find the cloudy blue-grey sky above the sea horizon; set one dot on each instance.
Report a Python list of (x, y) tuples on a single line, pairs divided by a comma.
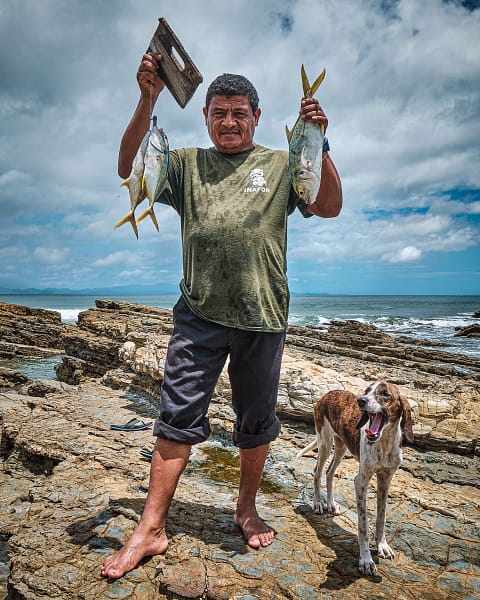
[(402, 95)]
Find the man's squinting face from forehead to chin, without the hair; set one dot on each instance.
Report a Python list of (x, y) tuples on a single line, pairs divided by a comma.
[(231, 123)]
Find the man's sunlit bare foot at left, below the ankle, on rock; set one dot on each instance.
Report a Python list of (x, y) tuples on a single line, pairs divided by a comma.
[(141, 544)]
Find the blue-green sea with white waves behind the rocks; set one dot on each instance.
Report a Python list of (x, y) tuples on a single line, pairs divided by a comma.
[(430, 318)]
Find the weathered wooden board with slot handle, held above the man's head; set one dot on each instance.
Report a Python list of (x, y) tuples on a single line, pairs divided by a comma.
[(177, 69)]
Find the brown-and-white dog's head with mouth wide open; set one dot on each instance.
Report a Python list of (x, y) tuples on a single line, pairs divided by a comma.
[(381, 404)]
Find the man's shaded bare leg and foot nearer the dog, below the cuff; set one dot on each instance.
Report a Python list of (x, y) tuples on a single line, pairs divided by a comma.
[(252, 462)]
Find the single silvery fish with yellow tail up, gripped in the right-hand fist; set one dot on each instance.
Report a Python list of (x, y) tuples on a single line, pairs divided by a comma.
[(305, 142)]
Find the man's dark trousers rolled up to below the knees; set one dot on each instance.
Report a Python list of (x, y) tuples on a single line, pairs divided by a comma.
[(196, 355)]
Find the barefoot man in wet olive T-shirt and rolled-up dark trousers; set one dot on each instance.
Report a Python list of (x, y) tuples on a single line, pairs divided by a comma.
[(233, 200)]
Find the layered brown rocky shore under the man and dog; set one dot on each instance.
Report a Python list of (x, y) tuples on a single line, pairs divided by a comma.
[(72, 489)]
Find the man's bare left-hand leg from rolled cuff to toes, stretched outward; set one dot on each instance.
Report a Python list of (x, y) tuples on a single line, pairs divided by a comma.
[(149, 538)]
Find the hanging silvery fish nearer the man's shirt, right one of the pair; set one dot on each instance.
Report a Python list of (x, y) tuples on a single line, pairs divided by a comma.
[(155, 169)]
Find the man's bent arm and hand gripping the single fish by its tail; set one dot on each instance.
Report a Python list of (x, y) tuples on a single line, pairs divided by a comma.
[(329, 197)]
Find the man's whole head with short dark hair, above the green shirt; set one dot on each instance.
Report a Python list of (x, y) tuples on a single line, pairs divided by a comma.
[(231, 113)]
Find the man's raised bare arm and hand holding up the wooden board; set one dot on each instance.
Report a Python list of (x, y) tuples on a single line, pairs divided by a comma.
[(150, 86)]
